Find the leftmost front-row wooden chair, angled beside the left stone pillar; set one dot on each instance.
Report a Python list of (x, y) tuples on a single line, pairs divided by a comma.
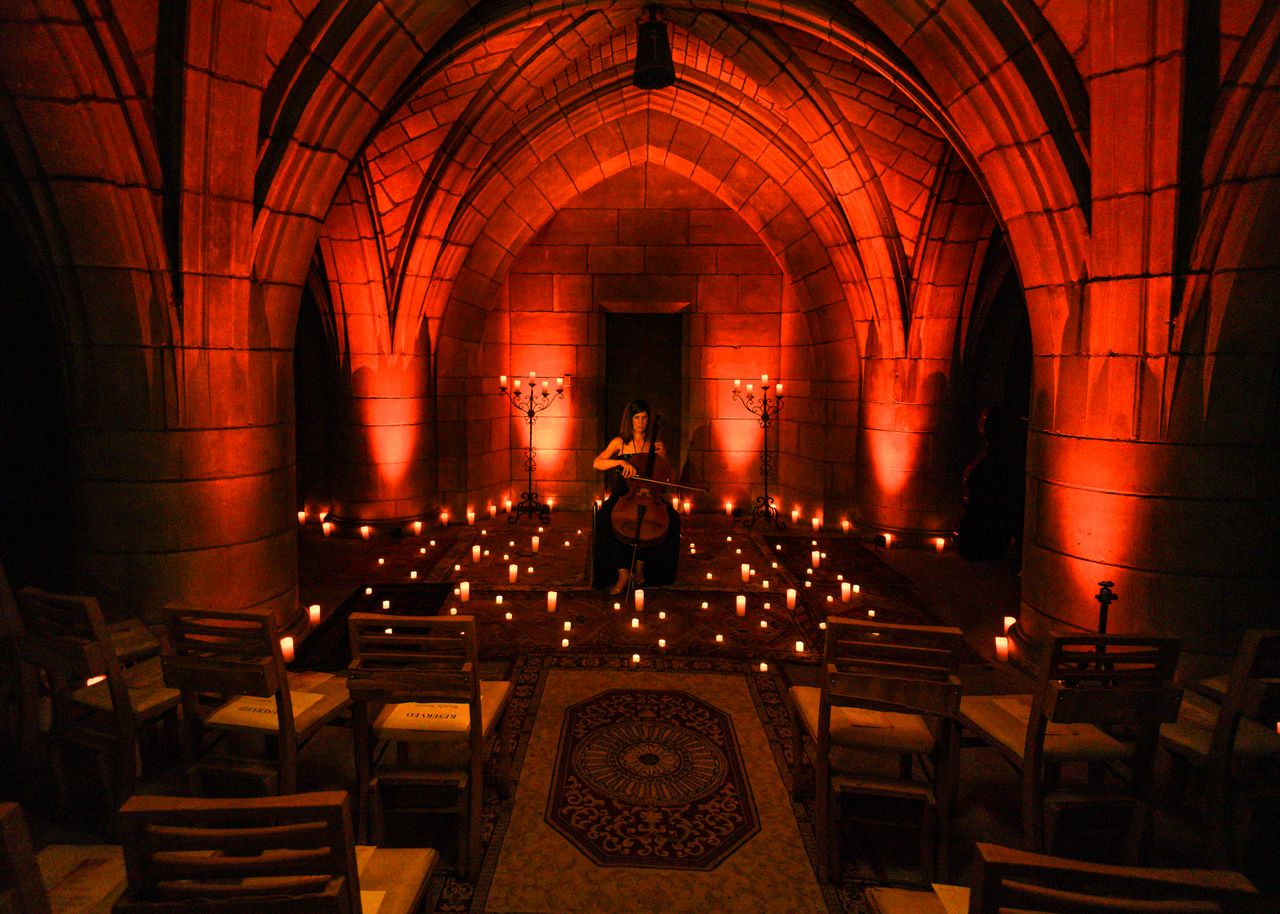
[(97, 706)]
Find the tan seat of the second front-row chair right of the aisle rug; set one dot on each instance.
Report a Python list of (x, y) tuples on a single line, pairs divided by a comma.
[(1005, 719)]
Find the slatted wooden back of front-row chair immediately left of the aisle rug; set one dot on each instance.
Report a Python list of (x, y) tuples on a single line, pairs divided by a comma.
[(417, 659)]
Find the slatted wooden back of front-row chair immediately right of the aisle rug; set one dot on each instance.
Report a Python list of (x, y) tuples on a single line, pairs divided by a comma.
[(907, 669)]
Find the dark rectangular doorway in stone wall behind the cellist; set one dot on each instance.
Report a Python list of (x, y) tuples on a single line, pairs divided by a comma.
[(643, 359)]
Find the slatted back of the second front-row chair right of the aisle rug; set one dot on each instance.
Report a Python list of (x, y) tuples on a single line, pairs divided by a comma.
[(1117, 683)]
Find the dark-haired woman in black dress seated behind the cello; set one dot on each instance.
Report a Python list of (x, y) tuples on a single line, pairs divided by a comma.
[(656, 564)]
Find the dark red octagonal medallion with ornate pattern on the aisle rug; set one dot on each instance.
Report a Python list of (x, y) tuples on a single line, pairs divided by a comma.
[(651, 779)]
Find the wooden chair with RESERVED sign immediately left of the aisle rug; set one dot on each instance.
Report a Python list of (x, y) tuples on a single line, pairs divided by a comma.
[(417, 688)]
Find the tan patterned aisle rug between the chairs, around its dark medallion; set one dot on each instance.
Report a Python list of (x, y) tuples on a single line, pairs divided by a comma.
[(532, 867)]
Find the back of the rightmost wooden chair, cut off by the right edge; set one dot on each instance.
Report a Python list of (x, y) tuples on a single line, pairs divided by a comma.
[(1252, 693)]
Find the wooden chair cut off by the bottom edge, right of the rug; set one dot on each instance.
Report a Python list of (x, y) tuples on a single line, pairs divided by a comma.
[(1008, 880)]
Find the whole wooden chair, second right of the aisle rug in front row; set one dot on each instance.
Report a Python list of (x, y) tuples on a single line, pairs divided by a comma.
[(1099, 702)]
